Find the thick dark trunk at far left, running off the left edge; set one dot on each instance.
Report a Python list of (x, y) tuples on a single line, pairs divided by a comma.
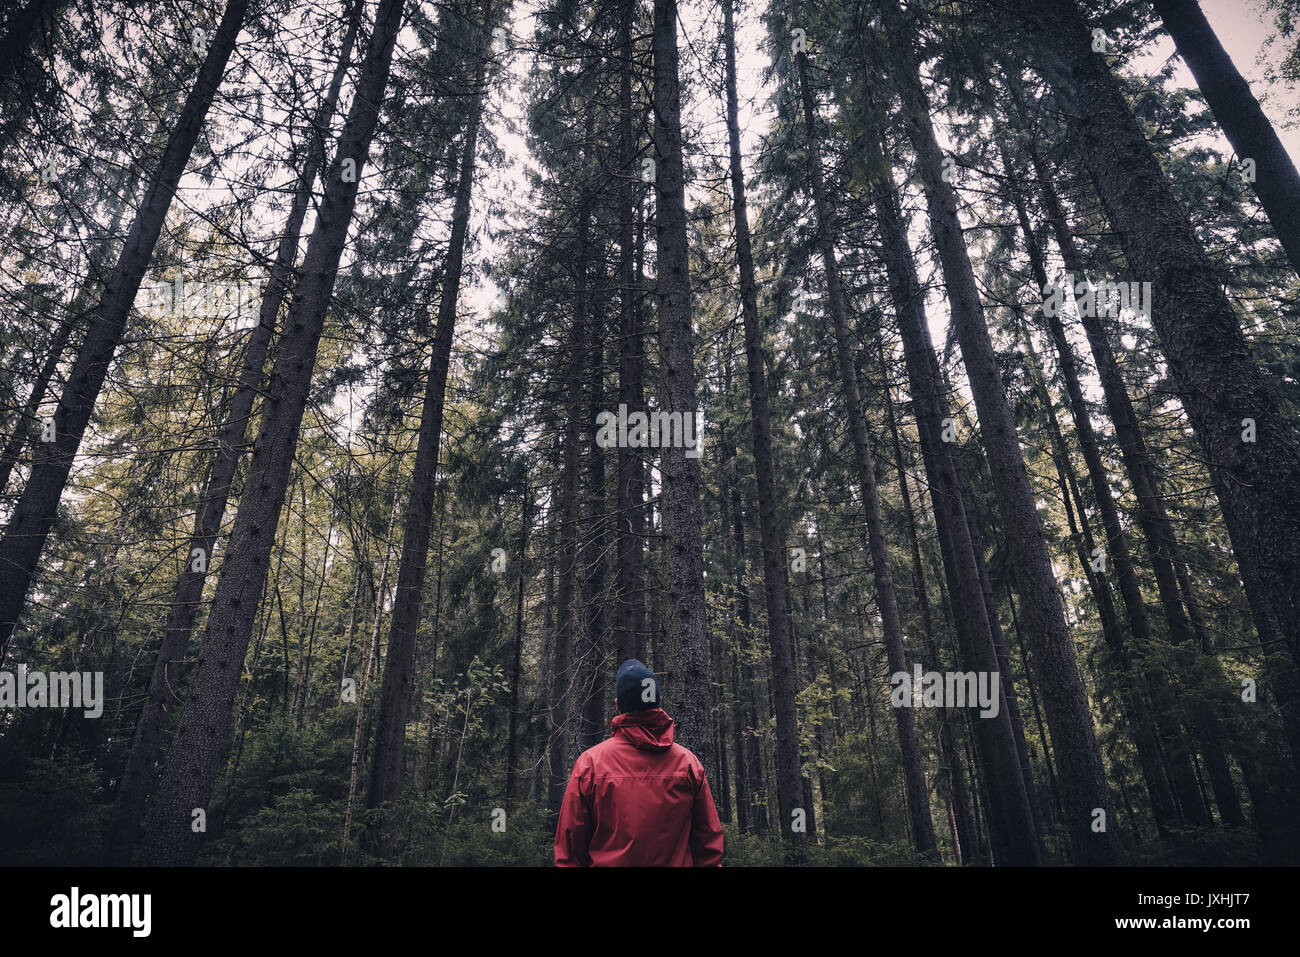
[(34, 514)]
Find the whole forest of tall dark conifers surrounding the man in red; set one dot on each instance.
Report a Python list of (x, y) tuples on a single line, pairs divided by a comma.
[(311, 313)]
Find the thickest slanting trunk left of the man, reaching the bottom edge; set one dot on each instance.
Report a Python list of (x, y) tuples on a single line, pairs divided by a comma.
[(192, 765)]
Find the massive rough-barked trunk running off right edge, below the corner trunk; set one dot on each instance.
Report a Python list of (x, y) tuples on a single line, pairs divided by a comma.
[(1223, 387)]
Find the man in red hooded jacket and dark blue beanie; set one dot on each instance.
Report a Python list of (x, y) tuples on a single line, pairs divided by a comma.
[(639, 800)]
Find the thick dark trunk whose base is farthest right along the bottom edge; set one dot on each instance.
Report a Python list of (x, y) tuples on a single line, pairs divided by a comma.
[(1087, 799)]
